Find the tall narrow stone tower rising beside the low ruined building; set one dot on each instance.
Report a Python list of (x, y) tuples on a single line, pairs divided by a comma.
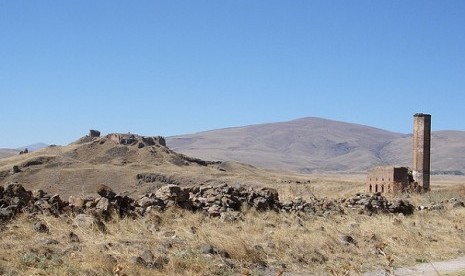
[(422, 150)]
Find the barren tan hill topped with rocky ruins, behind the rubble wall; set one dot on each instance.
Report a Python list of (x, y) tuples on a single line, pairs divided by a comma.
[(130, 166)]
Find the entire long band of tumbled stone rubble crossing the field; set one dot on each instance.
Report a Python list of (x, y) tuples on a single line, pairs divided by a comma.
[(214, 201)]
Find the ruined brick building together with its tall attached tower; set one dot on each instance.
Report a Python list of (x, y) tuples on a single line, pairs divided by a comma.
[(389, 179)]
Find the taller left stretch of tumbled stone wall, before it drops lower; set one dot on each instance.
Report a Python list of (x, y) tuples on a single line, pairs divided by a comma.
[(213, 201)]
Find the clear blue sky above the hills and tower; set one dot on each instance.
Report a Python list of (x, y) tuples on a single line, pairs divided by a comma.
[(176, 67)]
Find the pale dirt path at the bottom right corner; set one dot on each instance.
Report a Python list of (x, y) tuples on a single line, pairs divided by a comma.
[(451, 267)]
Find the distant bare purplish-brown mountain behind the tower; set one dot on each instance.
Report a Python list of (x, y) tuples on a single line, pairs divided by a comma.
[(316, 144)]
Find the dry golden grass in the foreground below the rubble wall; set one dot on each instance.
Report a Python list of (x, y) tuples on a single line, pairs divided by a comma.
[(305, 244)]
